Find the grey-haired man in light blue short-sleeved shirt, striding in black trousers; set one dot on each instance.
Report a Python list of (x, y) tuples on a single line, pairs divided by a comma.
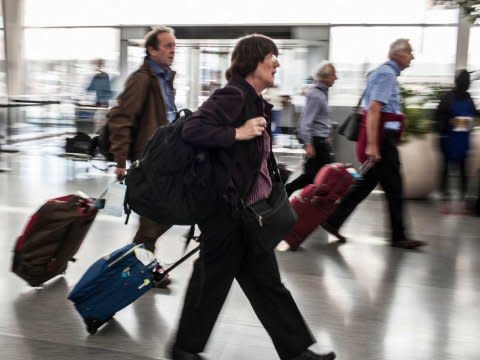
[(380, 131)]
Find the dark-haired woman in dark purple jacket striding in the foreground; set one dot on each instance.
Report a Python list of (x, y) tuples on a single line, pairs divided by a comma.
[(235, 124)]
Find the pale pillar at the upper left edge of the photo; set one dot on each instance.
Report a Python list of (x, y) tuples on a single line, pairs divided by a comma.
[(13, 19)]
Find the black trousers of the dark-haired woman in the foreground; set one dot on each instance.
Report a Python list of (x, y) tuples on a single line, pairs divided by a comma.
[(226, 255)]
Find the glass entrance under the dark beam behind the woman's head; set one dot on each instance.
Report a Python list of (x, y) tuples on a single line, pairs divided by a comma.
[(201, 65)]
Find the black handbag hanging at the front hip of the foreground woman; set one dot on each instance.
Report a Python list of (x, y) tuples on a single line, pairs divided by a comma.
[(268, 221)]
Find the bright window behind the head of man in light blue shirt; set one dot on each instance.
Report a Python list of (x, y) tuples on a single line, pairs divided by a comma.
[(355, 50)]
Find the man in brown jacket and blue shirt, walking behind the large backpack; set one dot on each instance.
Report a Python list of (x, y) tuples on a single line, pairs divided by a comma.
[(146, 103)]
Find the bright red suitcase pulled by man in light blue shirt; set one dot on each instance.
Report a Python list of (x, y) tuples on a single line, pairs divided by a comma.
[(318, 201)]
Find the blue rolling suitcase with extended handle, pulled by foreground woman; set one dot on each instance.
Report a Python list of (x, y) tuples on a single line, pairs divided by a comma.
[(115, 281)]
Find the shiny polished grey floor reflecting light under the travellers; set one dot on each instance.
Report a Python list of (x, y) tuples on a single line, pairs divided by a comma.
[(363, 299)]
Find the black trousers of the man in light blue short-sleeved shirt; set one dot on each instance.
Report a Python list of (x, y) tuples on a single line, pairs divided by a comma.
[(387, 173)]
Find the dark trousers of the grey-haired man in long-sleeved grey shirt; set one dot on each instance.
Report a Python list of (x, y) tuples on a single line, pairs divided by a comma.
[(323, 155)]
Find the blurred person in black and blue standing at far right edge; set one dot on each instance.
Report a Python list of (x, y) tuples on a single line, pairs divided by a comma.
[(454, 123)]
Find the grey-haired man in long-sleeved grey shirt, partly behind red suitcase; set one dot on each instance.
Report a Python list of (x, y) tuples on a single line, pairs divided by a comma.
[(315, 126)]
